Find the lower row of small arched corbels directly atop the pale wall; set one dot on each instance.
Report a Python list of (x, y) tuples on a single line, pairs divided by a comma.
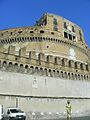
[(22, 68)]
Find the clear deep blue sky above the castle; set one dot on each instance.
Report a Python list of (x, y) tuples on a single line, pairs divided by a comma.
[(18, 13)]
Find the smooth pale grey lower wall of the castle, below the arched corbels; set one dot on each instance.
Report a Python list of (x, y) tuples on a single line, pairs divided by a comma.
[(43, 94)]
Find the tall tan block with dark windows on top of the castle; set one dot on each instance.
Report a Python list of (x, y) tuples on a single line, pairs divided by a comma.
[(68, 29)]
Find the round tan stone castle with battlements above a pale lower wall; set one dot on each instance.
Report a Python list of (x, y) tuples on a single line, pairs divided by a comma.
[(43, 66)]
